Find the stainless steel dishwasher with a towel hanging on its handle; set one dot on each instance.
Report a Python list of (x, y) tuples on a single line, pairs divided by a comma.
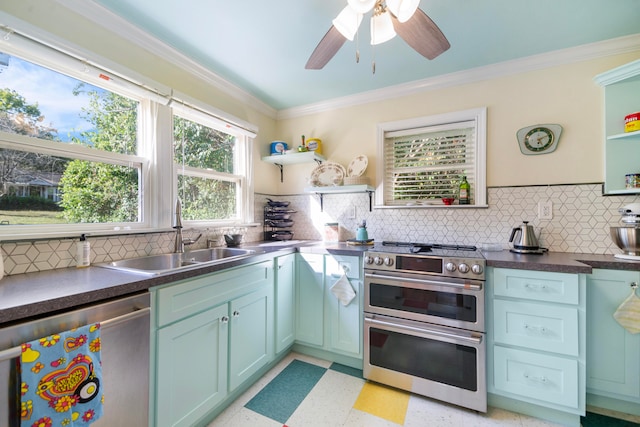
[(125, 358)]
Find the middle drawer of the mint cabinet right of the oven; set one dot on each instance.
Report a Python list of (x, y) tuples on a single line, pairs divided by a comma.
[(536, 326)]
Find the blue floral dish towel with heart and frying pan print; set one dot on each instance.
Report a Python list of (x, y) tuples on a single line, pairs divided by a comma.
[(60, 377)]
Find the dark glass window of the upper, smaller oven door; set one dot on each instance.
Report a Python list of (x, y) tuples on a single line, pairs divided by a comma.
[(433, 303)]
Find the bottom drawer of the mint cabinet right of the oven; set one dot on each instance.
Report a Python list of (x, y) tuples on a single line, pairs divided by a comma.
[(537, 376)]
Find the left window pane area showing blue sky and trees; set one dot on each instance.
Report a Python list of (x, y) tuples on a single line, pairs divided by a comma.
[(67, 150)]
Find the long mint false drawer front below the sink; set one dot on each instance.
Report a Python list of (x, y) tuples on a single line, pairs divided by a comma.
[(189, 297)]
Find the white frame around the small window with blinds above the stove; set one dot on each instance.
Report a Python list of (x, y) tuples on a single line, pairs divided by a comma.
[(476, 115)]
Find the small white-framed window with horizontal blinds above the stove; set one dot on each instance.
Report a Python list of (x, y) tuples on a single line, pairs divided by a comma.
[(423, 160)]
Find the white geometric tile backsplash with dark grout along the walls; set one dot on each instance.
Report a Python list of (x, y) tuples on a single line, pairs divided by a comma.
[(580, 224)]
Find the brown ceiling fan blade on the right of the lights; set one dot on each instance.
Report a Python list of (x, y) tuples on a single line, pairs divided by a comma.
[(422, 34)]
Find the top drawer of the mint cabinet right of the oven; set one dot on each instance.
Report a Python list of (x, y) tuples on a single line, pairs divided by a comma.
[(536, 285)]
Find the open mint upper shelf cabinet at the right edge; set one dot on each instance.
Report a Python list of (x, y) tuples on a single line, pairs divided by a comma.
[(622, 149)]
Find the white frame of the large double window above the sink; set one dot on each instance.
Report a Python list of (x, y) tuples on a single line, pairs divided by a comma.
[(155, 140)]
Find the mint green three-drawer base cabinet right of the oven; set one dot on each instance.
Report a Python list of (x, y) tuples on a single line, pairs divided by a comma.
[(536, 341)]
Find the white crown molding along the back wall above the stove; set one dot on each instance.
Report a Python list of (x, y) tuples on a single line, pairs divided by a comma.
[(581, 53)]
